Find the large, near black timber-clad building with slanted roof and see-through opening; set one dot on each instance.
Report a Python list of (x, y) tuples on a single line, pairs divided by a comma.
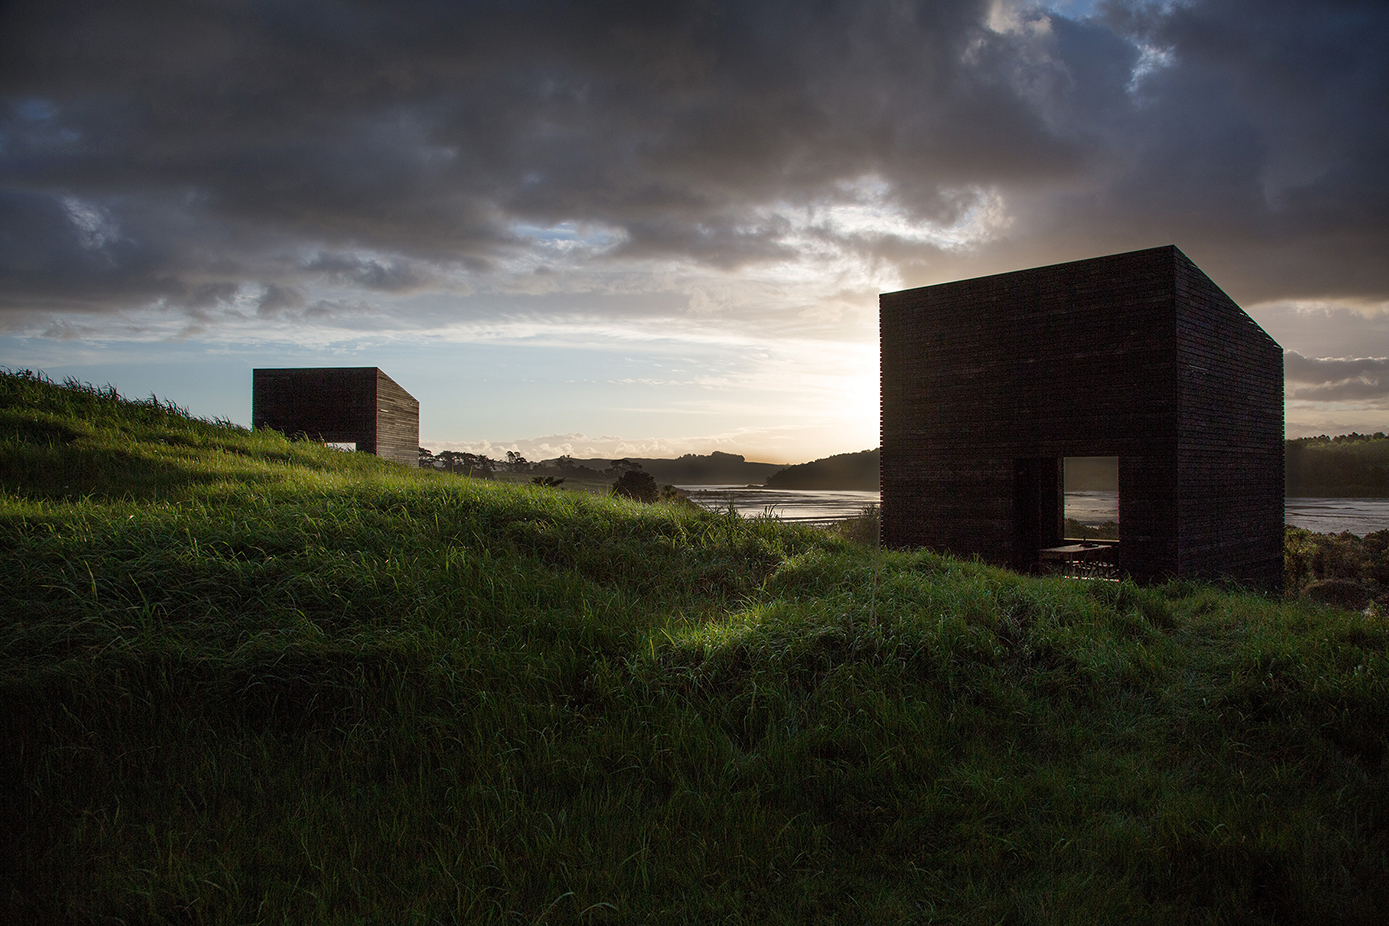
[(990, 384)]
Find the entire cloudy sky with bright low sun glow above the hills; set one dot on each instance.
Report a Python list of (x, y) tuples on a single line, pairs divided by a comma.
[(620, 228)]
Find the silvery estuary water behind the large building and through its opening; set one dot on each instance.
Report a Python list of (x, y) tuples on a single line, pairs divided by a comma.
[(805, 506)]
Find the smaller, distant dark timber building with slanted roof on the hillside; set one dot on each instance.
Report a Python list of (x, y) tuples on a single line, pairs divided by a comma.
[(340, 405)]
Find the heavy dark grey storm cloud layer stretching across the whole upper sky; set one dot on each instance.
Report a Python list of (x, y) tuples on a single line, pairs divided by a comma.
[(184, 152)]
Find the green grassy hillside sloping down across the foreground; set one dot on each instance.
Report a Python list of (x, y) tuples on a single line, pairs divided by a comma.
[(253, 681)]
